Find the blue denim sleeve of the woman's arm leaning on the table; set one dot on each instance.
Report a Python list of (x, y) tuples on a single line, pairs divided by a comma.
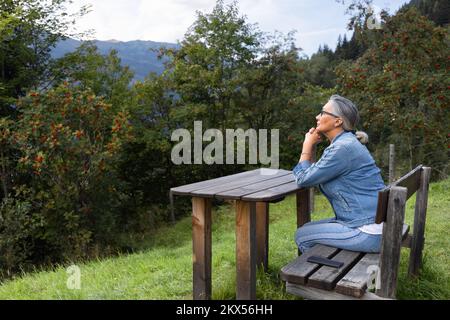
[(333, 163)]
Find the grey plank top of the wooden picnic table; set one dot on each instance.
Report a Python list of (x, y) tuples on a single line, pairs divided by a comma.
[(256, 185)]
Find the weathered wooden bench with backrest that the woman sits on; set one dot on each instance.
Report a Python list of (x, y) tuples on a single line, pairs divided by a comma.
[(350, 281)]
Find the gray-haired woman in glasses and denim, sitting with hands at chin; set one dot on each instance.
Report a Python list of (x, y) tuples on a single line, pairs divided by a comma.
[(349, 178)]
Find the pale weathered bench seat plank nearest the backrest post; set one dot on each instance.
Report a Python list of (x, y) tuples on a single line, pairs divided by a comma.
[(354, 283)]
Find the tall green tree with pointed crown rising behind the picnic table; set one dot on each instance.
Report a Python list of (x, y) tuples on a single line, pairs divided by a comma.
[(230, 75)]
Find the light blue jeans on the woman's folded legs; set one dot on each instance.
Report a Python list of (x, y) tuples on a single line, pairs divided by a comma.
[(331, 233)]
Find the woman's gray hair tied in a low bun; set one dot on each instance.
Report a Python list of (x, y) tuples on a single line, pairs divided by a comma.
[(349, 114)]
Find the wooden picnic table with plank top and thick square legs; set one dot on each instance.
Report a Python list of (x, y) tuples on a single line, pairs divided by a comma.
[(253, 191)]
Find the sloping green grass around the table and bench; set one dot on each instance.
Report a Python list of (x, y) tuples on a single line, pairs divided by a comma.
[(164, 269)]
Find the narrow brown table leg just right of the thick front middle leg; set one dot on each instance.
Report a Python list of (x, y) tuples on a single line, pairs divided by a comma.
[(262, 235)]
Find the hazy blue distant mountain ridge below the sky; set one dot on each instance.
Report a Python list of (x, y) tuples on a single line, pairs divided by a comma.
[(135, 54)]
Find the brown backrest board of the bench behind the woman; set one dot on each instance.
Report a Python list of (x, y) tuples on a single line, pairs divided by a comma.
[(411, 181)]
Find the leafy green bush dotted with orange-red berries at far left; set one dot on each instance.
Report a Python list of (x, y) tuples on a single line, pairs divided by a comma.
[(69, 140)]
